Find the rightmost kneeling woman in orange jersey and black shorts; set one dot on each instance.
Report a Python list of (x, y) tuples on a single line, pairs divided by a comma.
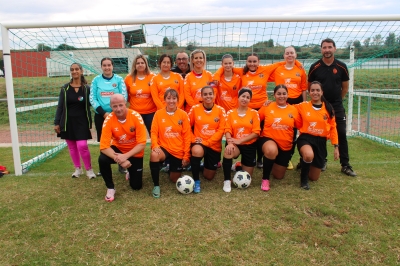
[(318, 124)]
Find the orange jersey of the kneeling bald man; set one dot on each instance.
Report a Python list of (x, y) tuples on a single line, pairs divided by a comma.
[(125, 136)]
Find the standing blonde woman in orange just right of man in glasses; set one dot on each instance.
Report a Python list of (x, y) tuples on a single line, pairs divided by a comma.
[(196, 79)]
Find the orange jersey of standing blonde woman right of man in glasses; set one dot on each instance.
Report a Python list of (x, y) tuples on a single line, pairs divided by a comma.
[(192, 87)]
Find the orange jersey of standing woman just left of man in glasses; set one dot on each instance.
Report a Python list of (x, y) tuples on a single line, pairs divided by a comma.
[(159, 85)]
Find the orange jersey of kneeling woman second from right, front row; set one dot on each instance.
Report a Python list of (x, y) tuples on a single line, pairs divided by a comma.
[(279, 123)]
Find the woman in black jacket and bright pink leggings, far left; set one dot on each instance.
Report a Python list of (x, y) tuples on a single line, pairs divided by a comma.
[(73, 120)]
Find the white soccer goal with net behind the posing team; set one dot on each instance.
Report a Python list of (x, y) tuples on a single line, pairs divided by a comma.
[(37, 60)]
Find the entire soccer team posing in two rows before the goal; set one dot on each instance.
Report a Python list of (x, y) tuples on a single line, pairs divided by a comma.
[(187, 111)]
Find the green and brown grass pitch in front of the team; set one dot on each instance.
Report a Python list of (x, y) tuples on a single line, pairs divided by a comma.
[(48, 218)]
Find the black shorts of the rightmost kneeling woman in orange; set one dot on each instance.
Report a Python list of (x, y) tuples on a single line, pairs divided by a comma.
[(318, 144)]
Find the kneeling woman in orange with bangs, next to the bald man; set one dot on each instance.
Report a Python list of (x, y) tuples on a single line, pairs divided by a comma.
[(170, 139)]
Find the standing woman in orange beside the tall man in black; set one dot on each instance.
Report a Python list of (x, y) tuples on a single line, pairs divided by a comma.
[(295, 79)]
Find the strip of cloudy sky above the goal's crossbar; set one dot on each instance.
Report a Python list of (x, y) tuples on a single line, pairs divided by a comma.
[(62, 10)]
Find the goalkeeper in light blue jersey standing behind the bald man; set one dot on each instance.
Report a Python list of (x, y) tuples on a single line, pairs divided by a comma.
[(102, 88)]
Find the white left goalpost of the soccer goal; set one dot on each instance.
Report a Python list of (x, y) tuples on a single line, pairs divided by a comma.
[(12, 113)]
